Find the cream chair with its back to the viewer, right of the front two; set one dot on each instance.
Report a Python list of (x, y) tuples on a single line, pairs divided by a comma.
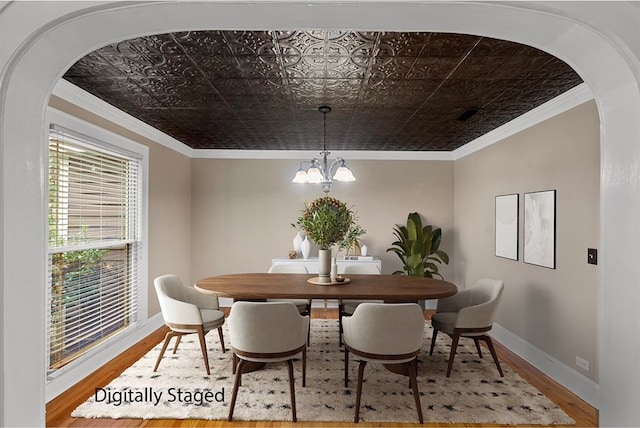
[(388, 334)]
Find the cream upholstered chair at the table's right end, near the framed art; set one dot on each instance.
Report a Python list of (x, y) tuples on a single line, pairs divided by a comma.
[(468, 313)]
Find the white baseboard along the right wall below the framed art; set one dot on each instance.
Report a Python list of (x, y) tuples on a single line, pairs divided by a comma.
[(574, 381)]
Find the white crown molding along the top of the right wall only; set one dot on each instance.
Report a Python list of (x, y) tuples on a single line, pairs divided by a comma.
[(566, 101)]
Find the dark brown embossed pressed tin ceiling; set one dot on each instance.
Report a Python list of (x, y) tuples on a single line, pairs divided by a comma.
[(260, 90)]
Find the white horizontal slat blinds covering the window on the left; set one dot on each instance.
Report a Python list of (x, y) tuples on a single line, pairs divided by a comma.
[(95, 242)]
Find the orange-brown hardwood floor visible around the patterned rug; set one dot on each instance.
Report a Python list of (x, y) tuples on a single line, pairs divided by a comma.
[(59, 410)]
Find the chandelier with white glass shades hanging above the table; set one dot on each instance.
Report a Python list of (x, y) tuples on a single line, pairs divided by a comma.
[(319, 170)]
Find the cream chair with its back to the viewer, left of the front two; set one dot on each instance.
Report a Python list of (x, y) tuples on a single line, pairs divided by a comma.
[(265, 332)]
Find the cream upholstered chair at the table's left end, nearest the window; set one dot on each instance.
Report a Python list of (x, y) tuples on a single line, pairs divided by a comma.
[(187, 311)]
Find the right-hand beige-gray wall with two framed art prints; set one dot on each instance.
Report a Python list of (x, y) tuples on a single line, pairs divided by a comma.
[(554, 309)]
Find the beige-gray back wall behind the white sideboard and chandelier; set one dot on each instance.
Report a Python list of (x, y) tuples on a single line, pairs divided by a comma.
[(243, 209)]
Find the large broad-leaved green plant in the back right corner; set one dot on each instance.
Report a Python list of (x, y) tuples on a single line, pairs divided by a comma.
[(417, 246)]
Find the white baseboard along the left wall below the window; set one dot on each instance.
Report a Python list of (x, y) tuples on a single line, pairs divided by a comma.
[(68, 376)]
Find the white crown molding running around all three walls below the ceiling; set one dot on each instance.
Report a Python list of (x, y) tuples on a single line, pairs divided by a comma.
[(566, 101)]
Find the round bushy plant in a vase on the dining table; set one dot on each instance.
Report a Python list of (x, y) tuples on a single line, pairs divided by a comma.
[(326, 221)]
